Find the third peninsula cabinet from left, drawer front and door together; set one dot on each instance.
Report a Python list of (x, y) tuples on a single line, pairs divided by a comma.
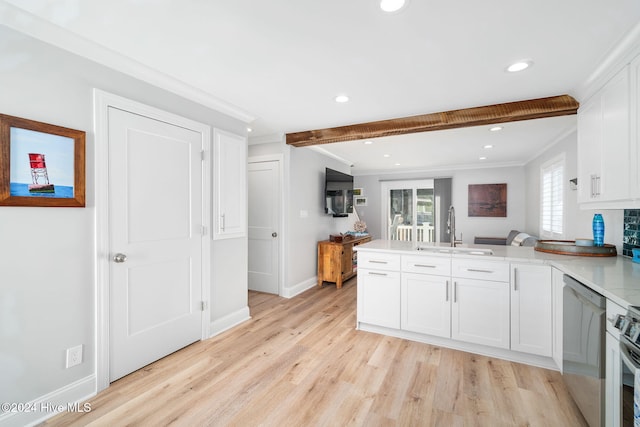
[(480, 309)]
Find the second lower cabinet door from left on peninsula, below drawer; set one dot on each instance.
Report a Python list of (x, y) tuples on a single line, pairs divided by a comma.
[(426, 304)]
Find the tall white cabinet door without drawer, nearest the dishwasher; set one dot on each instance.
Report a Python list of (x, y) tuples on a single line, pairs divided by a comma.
[(531, 314)]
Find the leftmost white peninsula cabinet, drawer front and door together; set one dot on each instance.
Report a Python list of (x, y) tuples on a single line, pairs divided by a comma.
[(379, 289)]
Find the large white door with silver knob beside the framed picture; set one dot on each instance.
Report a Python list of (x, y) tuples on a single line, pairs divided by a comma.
[(155, 209)]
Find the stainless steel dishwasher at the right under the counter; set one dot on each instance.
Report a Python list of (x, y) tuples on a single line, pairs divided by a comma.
[(583, 340)]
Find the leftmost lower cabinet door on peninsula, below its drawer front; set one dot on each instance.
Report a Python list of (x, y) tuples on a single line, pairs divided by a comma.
[(379, 297)]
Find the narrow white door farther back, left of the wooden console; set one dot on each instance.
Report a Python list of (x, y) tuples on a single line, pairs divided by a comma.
[(264, 216)]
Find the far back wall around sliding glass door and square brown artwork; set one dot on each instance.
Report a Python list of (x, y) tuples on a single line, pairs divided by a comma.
[(468, 226)]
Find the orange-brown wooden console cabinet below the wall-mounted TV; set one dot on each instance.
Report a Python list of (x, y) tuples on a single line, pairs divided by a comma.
[(337, 262)]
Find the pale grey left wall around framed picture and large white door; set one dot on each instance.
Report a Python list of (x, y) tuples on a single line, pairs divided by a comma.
[(47, 255)]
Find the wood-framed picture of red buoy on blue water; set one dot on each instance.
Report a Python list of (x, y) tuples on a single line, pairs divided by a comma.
[(41, 164)]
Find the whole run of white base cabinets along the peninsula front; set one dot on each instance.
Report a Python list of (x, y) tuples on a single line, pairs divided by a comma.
[(471, 300)]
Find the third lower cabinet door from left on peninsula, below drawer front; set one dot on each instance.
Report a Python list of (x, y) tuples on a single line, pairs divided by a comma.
[(480, 312)]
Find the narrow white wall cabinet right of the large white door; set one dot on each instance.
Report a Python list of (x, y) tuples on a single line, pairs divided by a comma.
[(229, 185)]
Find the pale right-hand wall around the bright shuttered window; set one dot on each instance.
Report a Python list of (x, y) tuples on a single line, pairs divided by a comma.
[(577, 221)]
